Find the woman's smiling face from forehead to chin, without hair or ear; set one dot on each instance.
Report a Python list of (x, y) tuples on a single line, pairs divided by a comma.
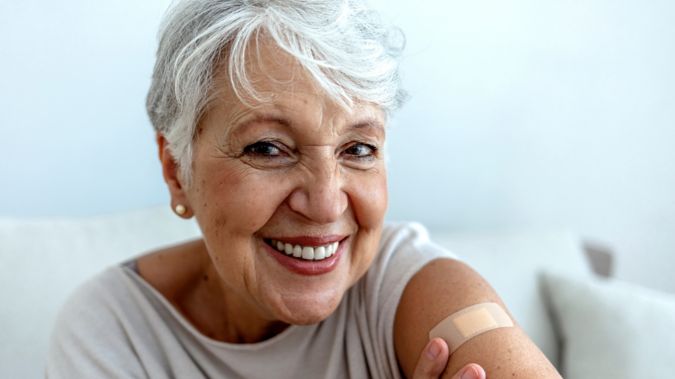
[(298, 174)]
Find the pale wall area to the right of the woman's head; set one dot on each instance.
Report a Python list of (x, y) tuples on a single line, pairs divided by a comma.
[(537, 113)]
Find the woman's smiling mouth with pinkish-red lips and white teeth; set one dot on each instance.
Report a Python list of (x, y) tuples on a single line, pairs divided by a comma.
[(308, 255)]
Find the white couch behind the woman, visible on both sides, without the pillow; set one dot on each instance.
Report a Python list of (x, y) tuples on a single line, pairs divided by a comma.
[(43, 260)]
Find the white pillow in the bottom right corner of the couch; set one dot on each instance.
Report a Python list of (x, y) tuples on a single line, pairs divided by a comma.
[(612, 329)]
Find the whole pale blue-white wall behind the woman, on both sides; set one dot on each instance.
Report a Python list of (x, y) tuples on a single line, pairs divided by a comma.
[(528, 113)]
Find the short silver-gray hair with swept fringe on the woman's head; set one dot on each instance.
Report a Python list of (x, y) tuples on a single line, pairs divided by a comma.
[(345, 48)]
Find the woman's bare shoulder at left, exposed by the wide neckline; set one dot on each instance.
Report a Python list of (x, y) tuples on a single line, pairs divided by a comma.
[(172, 269)]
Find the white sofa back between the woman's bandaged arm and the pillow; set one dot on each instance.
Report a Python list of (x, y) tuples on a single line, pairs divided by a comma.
[(511, 263)]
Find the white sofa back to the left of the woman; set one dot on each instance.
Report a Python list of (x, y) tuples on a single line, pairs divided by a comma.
[(42, 261)]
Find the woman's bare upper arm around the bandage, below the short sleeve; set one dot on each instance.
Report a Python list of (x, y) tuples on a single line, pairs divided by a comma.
[(443, 287)]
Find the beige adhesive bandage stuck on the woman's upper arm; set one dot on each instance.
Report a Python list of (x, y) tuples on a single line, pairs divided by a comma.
[(469, 322)]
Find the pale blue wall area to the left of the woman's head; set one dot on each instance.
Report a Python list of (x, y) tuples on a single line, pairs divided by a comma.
[(74, 136)]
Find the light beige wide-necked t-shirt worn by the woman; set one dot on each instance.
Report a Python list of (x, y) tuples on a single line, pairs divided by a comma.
[(117, 326)]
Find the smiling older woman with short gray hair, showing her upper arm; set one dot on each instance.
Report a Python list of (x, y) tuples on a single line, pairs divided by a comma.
[(270, 119)]
